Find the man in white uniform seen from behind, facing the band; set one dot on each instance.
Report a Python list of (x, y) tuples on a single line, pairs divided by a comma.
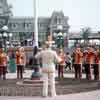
[(48, 57)]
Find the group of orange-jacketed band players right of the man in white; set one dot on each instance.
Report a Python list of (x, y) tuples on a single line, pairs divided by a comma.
[(80, 61)]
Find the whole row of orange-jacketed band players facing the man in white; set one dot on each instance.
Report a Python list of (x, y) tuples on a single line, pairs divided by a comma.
[(79, 61)]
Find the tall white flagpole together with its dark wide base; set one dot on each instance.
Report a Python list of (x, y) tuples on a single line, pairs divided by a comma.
[(36, 74)]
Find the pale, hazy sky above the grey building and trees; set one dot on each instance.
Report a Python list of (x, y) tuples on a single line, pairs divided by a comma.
[(81, 13)]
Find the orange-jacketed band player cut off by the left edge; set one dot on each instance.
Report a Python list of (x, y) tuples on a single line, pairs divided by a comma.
[(3, 63)]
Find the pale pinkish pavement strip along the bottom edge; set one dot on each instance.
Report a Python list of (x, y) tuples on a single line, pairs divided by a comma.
[(94, 95)]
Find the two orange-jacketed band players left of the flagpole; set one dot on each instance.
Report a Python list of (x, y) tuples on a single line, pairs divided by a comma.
[(20, 60)]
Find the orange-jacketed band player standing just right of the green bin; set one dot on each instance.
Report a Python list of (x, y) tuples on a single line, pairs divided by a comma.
[(20, 61)]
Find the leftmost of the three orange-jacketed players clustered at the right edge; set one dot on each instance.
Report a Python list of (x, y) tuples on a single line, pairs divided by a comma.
[(78, 63)]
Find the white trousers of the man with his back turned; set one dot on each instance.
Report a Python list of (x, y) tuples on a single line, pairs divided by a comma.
[(49, 79)]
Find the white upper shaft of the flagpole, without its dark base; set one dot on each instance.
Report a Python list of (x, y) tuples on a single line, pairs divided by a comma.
[(35, 23)]
